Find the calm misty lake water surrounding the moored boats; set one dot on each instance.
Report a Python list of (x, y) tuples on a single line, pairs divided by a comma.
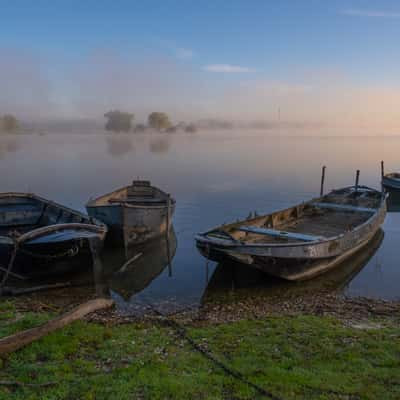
[(215, 177)]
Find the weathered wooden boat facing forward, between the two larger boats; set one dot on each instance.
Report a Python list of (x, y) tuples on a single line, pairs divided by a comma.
[(134, 214)]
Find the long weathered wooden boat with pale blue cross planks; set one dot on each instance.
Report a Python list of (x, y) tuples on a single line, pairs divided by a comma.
[(302, 241)]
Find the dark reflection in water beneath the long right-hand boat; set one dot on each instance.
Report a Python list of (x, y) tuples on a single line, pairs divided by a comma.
[(246, 282)]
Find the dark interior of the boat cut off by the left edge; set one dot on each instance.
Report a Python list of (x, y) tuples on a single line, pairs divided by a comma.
[(20, 214)]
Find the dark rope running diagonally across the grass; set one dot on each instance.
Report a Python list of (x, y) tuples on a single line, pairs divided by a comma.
[(180, 330)]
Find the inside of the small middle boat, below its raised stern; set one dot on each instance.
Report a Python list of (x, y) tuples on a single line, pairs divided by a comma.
[(140, 193)]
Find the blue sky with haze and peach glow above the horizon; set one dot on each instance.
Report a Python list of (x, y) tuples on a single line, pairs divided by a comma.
[(314, 61)]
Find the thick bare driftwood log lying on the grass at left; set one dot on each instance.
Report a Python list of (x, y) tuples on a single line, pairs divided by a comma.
[(21, 339)]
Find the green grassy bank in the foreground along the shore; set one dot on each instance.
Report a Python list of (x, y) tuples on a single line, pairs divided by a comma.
[(293, 357)]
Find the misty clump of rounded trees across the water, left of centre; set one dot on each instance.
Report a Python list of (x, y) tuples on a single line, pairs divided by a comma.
[(120, 121)]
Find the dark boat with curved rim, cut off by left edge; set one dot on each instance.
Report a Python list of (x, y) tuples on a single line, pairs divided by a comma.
[(35, 233)]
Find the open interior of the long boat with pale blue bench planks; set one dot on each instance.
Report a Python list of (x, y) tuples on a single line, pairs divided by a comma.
[(326, 217)]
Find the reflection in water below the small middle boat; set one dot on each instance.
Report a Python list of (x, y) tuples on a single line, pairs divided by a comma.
[(126, 273)]
